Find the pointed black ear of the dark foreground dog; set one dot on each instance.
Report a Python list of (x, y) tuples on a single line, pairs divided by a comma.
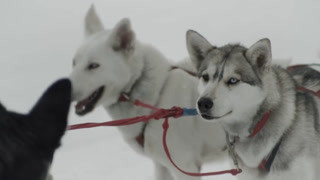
[(49, 115)]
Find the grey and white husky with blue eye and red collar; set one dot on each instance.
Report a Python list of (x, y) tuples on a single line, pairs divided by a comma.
[(238, 86)]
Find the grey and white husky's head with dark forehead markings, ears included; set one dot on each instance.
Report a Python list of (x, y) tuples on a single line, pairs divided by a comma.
[(231, 77)]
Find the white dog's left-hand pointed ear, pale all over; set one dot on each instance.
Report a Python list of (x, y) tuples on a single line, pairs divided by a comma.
[(92, 22)]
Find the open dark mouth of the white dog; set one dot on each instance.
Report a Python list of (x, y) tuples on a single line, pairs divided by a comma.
[(87, 105)]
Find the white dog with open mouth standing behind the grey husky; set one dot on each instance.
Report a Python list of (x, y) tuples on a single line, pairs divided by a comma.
[(111, 62)]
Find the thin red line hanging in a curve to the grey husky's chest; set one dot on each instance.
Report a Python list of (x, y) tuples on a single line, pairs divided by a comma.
[(165, 126)]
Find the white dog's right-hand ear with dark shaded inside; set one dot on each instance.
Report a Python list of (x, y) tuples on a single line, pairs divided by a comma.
[(123, 37)]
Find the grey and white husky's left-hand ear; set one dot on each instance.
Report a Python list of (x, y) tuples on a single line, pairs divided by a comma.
[(198, 47)]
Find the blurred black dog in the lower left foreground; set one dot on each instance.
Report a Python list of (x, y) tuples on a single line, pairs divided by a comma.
[(28, 142)]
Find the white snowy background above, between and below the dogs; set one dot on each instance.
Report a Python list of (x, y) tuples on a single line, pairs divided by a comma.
[(38, 39)]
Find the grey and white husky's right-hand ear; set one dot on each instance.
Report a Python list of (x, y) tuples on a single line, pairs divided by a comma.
[(259, 54)]
